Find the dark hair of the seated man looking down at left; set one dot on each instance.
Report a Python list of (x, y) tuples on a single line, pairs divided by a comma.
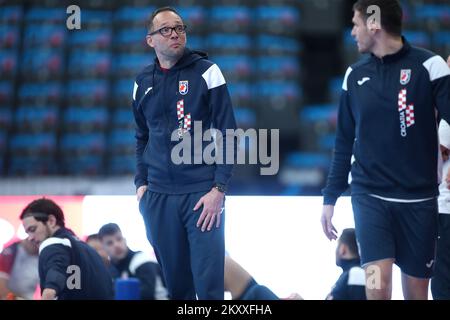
[(40, 209)]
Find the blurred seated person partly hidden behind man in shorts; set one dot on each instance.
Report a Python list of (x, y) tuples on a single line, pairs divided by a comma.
[(351, 283)]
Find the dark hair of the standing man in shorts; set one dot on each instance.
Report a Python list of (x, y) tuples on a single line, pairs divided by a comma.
[(391, 14)]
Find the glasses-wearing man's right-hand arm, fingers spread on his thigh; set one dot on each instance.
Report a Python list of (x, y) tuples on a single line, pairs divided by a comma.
[(222, 119)]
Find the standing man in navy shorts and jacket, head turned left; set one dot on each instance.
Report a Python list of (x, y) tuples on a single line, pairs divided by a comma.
[(387, 141)]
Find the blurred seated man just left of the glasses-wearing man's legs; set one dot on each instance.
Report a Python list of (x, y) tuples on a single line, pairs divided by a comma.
[(127, 263)]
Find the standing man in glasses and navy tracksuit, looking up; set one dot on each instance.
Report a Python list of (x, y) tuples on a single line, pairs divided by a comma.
[(182, 204)]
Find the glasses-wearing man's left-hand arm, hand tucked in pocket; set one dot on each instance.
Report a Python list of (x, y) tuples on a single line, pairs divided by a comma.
[(141, 135)]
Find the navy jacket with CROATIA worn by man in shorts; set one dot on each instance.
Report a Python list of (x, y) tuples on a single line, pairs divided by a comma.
[(387, 129)]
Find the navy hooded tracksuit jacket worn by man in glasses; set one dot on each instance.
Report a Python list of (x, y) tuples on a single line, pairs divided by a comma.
[(195, 85)]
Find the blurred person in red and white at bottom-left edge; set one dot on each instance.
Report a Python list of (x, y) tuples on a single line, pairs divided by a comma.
[(19, 276)]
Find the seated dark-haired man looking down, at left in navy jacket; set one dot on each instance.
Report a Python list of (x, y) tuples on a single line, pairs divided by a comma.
[(69, 269)]
